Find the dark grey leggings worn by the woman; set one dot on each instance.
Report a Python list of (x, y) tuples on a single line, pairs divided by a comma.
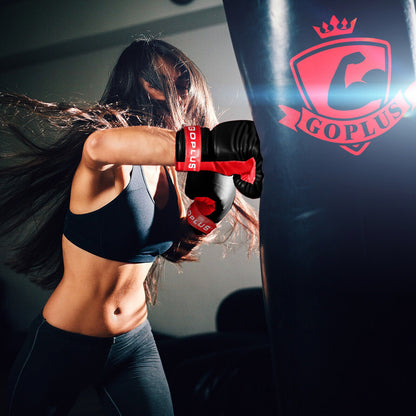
[(55, 365)]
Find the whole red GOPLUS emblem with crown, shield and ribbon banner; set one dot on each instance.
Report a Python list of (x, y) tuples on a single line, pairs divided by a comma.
[(344, 85)]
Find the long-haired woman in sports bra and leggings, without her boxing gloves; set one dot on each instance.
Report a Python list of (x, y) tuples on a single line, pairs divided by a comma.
[(72, 196)]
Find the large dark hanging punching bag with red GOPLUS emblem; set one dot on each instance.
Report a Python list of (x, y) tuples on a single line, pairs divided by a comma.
[(331, 86)]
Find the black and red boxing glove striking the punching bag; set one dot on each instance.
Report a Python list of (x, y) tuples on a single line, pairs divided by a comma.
[(231, 148)]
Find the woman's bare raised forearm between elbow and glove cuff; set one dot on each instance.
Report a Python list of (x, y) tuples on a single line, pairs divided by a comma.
[(136, 145)]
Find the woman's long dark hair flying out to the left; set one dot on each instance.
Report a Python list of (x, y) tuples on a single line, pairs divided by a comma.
[(35, 179)]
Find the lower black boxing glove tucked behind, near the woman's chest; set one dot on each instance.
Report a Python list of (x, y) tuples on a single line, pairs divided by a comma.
[(213, 196)]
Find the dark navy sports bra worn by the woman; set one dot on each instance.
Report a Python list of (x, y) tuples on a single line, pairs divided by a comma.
[(130, 228)]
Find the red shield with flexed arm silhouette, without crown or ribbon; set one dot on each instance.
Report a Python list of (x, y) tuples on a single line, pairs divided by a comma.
[(345, 78)]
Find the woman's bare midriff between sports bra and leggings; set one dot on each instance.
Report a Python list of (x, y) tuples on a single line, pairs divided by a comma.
[(96, 296)]
